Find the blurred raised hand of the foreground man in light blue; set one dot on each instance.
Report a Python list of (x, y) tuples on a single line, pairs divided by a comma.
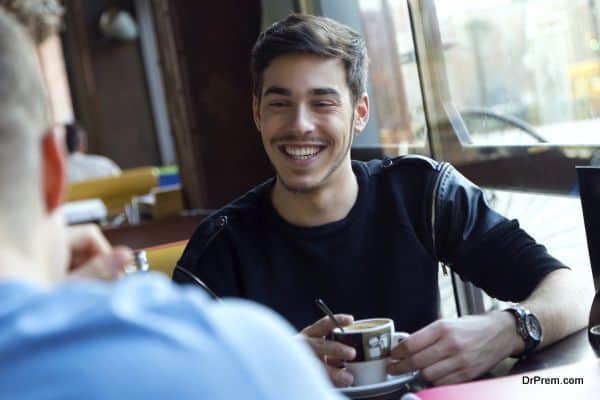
[(92, 257)]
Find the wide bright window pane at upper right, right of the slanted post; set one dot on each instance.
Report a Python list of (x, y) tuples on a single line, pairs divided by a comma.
[(524, 71)]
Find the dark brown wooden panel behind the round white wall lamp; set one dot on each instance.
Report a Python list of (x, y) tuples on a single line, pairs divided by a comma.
[(108, 86)]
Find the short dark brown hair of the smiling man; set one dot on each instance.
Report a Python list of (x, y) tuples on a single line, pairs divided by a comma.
[(309, 34)]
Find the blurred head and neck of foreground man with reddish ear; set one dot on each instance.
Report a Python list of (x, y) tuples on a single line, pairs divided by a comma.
[(31, 160)]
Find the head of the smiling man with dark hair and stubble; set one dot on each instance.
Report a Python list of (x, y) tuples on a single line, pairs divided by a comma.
[(309, 100)]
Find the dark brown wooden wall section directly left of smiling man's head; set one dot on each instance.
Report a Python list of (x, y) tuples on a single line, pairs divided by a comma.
[(205, 53)]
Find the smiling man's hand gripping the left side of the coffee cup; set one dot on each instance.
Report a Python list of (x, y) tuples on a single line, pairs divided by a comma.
[(333, 354)]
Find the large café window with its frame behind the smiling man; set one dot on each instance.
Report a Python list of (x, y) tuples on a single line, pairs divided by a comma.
[(509, 91)]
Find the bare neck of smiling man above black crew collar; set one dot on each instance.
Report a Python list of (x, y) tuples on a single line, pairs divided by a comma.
[(328, 204)]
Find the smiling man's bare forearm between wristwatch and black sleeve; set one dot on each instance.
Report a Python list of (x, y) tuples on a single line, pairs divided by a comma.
[(561, 302)]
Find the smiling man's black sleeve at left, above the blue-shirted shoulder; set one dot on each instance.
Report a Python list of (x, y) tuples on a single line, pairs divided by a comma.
[(209, 257)]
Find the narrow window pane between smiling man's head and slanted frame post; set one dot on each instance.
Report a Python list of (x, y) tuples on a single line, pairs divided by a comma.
[(393, 75)]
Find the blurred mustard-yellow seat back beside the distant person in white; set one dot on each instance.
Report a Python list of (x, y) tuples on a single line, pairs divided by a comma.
[(116, 191)]
